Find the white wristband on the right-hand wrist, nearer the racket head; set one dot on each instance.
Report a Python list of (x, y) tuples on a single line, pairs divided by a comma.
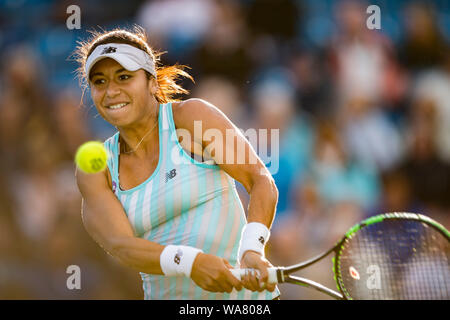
[(254, 237)]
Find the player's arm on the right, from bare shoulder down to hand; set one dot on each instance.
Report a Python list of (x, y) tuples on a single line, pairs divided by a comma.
[(251, 173)]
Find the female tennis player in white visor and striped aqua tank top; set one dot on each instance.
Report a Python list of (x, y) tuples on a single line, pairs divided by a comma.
[(158, 208)]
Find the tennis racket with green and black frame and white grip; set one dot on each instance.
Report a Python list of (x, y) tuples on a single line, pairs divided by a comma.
[(392, 256)]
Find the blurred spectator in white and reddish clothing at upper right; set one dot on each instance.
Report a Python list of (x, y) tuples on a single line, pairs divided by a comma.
[(361, 59)]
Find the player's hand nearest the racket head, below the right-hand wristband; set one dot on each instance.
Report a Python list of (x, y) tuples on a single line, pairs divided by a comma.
[(254, 260)]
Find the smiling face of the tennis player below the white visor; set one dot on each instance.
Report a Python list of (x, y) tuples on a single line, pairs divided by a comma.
[(122, 97)]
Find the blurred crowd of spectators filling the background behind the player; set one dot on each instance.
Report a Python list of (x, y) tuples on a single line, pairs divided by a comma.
[(363, 118)]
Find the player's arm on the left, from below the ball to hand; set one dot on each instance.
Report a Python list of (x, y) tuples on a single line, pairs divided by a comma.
[(105, 220)]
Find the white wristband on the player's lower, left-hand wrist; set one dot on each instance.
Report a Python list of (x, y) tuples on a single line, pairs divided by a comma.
[(178, 260)]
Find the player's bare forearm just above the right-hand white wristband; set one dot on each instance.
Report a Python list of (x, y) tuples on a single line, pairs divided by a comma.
[(263, 201)]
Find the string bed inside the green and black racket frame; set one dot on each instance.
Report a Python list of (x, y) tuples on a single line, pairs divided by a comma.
[(396, 259)]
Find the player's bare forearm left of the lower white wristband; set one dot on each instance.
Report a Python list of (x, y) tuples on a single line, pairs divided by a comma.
[(139, 254)]
